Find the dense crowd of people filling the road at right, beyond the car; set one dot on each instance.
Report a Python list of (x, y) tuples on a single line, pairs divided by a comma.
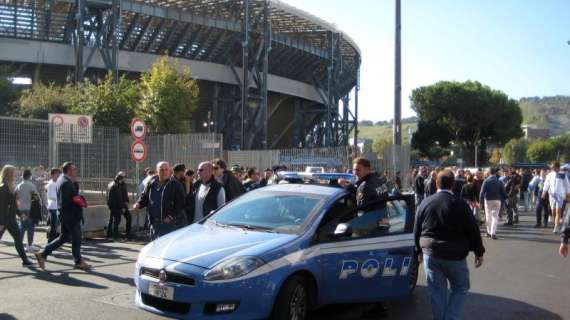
[(495, 194)]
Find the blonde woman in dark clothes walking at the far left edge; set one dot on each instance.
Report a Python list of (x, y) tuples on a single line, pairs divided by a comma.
[(8, 210)]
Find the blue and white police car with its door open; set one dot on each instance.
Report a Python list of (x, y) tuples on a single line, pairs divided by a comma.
[(278, 252)]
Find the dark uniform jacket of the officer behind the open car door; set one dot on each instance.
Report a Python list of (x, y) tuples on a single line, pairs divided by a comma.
[(369, 192)]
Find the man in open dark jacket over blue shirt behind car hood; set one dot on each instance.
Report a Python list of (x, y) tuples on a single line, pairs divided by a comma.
[(164, 198)]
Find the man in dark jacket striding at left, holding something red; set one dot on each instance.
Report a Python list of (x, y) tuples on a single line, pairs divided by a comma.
[(71, 214)]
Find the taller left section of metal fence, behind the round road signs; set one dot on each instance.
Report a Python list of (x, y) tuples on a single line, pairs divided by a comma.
[(99, 152)]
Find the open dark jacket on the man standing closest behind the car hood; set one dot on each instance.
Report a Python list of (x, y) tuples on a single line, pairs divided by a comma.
[(173, 202)]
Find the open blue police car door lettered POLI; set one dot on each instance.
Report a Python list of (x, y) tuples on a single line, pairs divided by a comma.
[(369, 265)]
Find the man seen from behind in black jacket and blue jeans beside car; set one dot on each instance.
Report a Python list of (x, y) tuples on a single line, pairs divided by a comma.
[(444, 233)]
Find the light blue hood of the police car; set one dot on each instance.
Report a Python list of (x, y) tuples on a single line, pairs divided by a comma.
[(204, 245)]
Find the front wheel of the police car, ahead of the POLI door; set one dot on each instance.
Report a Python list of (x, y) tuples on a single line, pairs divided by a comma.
[(293, 301)]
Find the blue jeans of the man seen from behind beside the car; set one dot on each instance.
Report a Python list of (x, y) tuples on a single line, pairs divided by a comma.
[(446, 304)]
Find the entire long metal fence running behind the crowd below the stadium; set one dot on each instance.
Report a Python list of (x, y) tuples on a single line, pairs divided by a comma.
[(101, 152)]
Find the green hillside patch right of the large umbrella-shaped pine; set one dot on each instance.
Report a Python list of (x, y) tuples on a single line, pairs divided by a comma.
[(547, 112)]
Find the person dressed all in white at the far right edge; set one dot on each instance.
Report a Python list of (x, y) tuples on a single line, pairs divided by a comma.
[(558, 188)]
